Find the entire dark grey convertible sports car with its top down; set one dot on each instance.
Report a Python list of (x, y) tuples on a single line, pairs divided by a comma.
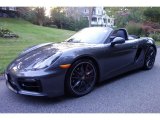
[(74, 66)]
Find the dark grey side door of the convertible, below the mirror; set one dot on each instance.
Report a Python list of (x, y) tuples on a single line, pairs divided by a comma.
[(118, 58)]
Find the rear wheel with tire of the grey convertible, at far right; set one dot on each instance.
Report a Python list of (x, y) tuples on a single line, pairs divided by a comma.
[(149, 58)]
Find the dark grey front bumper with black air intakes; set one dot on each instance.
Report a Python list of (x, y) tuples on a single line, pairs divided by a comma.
[(44, 83)]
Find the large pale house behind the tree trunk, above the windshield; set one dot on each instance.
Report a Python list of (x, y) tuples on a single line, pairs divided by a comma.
[(99, 16)]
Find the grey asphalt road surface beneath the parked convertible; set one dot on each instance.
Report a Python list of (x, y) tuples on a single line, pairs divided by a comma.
[(137, 91)]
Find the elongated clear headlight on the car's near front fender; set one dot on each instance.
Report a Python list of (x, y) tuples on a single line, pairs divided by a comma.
[(47, 62)]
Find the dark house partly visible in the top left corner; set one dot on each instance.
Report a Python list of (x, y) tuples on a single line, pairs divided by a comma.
[(8, 12)]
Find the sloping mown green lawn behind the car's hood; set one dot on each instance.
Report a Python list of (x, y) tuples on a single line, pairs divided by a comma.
[(29, 35)]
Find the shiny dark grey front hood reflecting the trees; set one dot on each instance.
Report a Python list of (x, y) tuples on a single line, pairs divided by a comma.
[(39, 53)]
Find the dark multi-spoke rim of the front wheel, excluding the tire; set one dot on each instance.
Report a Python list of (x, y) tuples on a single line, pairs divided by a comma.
[(83, 77)]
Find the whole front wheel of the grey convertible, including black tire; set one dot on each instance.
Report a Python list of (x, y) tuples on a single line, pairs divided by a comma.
[(81, 78)]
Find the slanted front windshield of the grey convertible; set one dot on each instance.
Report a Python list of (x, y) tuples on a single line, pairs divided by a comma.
[(92, 35)]
